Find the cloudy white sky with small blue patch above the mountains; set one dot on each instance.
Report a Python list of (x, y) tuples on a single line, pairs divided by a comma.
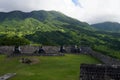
[(91, 11)]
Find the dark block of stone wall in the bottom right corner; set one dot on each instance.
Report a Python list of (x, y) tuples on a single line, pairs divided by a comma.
[(99, 72)]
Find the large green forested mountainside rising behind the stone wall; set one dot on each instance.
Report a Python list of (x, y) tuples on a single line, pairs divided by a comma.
[(54, 28)]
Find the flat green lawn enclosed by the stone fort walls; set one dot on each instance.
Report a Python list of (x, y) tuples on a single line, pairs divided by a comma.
[(48, 68)]
